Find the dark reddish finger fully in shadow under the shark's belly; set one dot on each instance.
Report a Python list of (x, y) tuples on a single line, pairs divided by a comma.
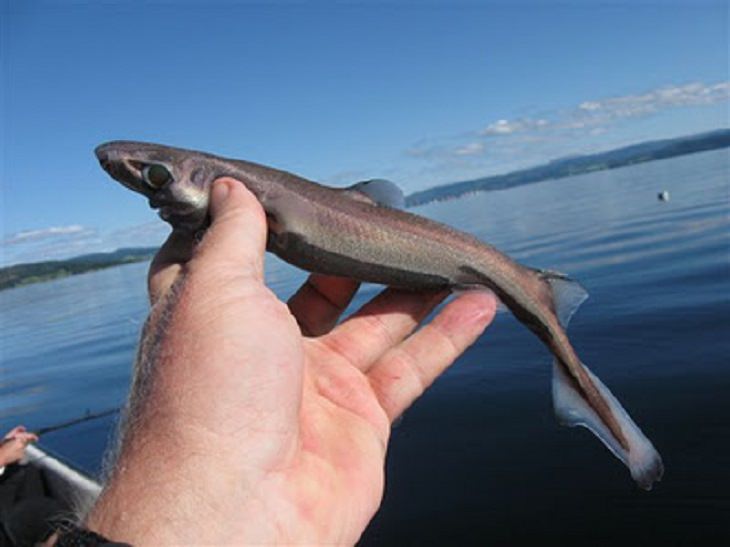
[(318, 304)]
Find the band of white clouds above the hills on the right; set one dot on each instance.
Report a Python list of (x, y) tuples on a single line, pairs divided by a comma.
[(589, 125)]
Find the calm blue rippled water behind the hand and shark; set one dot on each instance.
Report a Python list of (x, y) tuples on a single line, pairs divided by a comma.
[(480, 459)]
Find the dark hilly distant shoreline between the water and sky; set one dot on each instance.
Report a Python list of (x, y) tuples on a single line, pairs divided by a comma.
[(20, 275)]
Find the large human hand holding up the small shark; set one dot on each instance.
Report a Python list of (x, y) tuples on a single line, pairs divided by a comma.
[(254, 422)]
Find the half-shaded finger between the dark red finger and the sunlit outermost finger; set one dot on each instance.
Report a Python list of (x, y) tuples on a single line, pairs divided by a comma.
[(381, 324)]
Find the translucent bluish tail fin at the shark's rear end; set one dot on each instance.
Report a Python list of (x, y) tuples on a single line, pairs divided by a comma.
[(642, 459)]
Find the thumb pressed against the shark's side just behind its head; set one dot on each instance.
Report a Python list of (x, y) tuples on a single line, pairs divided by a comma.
[(236, 238)]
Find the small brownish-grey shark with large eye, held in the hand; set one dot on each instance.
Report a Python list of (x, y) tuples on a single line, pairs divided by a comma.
[(360, 232)]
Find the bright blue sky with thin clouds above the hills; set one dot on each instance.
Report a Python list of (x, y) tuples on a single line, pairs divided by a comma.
[(421, 93)]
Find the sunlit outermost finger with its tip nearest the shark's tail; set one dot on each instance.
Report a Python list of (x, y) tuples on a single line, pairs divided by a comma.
[(404, 373)]
